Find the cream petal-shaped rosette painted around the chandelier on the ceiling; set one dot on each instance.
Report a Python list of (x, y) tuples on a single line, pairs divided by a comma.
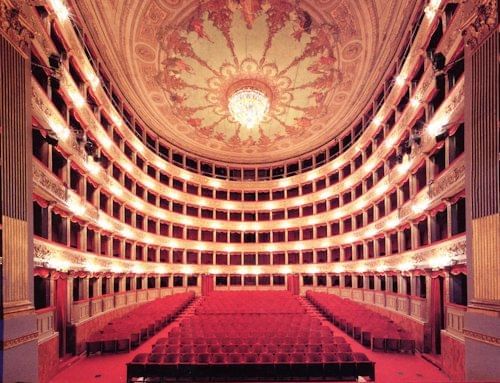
[(272, 48)]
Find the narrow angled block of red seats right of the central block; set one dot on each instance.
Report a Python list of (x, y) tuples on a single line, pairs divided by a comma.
[(369, 328)]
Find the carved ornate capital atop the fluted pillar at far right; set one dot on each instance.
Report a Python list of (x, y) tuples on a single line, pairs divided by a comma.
[(482, 22)]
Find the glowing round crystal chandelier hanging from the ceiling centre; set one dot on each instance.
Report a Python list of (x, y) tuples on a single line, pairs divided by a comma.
[(248, 106)]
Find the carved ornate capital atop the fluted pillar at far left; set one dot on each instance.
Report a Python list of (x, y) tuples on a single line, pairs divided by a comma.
[(14, 28)]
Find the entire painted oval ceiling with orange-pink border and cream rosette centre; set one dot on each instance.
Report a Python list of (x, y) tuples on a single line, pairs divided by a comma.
[(315, 65)]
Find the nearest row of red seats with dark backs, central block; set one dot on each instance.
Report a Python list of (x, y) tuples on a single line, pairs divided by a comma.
[(265, 366)]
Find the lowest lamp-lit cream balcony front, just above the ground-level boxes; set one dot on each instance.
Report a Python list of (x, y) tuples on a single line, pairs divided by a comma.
[(65, 259)]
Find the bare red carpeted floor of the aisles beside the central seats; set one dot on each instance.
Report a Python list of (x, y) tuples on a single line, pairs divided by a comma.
[(390, 368)]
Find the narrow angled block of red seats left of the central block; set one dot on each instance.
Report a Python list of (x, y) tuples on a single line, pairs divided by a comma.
[(130, 330)]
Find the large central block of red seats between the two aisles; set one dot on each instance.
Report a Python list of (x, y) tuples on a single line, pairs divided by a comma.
[(250, 335)]
